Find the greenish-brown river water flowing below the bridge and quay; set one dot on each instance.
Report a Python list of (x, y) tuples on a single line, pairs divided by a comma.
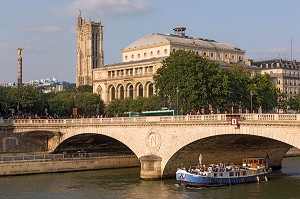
[(125, 183)]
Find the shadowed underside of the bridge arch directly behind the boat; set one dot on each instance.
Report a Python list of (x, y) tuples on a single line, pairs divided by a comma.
[(226, 148)]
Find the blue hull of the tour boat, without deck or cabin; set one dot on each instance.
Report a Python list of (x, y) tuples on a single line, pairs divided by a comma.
[(186, 178)]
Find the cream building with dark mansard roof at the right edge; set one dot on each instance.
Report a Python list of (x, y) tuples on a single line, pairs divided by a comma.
[(285, 74)]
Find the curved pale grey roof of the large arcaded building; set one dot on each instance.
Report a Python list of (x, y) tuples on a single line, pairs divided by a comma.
[(157, 38)]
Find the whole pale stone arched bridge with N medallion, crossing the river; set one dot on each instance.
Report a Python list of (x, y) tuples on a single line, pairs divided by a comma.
[(163, 143)]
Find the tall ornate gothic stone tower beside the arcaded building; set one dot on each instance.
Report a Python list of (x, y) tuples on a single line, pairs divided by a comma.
[(89, 50)]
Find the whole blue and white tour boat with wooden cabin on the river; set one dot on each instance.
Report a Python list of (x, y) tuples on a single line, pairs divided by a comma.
[(251, 170)]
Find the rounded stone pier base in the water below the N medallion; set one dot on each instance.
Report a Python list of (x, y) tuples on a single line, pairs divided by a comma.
[(150, 167)]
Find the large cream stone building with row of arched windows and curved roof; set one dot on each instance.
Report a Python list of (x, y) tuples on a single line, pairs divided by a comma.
[(141, 59)]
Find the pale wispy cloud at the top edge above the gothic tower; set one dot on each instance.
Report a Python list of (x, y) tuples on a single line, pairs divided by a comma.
[(106, 7)]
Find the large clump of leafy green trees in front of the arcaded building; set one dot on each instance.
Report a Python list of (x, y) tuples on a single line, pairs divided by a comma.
[(194, 82)]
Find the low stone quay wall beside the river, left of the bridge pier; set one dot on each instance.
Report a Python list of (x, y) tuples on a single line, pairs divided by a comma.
[(51, 166)]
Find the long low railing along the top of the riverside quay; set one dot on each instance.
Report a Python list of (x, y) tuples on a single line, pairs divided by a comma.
[(49, 157)]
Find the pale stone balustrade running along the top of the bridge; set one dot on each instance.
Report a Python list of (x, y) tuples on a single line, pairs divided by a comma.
[(180, 118)]
